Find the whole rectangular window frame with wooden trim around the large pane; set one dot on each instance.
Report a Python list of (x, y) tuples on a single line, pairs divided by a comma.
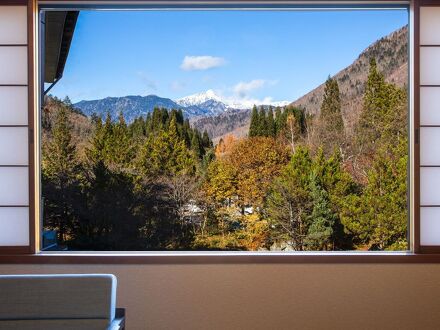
[(32, 253)]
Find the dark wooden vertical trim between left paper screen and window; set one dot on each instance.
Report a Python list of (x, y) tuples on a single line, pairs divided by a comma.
[(32, 125)]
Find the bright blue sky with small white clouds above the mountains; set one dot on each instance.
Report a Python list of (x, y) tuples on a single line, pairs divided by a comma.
[(244, 55)]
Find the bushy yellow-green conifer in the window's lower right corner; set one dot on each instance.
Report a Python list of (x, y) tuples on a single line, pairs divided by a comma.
[(378, 217)]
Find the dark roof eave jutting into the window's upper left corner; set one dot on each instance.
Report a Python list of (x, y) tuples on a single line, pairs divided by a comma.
[(59, 29)]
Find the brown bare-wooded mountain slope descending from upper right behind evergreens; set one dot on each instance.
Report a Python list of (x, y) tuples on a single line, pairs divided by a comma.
[(391, 54)]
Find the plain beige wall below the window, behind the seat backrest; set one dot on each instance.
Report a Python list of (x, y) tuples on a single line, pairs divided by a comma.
[(301, 296)]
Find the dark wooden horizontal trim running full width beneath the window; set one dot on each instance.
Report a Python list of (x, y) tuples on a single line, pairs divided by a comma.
[(301, 258)]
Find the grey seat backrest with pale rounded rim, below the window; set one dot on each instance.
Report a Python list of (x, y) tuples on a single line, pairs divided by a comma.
[(89, 297)]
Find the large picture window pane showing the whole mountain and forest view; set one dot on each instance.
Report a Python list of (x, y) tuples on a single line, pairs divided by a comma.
[(225, 130)]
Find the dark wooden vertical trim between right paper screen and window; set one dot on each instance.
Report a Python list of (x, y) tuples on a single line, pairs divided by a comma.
[(416, 120)]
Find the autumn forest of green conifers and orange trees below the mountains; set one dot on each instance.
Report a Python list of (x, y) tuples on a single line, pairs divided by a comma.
[(297, 182)]
